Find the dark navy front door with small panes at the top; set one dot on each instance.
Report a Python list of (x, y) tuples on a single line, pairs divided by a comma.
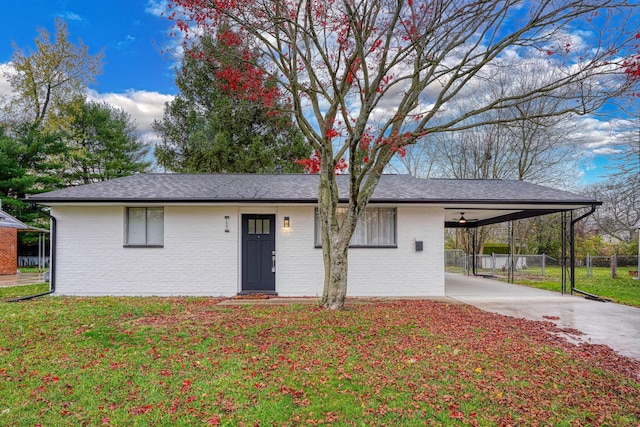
[(258, 253)]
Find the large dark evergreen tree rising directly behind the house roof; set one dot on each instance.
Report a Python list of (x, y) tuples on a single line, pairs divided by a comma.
[(208, 129)]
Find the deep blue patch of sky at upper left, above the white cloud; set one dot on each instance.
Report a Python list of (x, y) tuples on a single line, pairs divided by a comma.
[(131, 36)]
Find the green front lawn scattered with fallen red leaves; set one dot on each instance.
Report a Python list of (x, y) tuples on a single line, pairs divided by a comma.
[(188, 361)]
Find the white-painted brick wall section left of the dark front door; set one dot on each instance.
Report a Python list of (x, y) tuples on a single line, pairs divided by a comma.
[(198, 257)]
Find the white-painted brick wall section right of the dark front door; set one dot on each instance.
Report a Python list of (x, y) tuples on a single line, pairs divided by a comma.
[(400, 271)]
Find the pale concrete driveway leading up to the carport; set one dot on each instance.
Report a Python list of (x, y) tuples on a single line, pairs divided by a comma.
[(614, 325)]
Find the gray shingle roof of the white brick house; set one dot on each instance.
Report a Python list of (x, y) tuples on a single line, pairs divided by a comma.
[(302, 188)]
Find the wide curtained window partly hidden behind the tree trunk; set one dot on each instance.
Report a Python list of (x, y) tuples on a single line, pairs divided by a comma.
[(376, 228)]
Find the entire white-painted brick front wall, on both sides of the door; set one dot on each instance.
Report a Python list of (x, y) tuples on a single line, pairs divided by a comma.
[(200, 258)]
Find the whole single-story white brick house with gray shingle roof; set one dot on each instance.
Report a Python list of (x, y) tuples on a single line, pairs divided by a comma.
[(220, 235)]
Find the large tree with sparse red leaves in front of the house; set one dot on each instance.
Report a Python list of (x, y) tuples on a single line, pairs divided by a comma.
[(367, 78)]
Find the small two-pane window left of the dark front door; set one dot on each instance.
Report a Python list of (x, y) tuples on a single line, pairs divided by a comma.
[(144, 227)]
